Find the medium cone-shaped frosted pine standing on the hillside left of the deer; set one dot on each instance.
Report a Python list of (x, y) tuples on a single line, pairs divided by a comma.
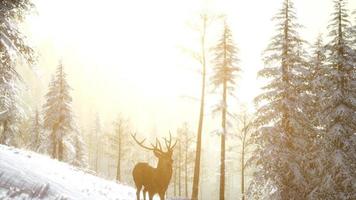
[(58, 118)]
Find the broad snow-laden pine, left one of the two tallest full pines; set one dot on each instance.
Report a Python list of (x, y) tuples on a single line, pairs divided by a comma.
[(282, 134)]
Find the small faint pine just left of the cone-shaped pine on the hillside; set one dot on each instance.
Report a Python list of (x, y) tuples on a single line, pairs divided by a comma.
[(35, 133)]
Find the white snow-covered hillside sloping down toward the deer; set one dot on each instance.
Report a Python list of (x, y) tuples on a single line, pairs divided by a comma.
[(27, 175)]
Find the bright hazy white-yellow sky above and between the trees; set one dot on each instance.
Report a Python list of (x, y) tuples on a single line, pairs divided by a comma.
[(125, 56)]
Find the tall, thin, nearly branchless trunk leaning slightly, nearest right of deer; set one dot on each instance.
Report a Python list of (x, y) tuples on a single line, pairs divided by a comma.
[(195, 190)]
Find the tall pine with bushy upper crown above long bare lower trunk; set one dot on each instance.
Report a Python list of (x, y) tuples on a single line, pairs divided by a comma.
[(224, 77)]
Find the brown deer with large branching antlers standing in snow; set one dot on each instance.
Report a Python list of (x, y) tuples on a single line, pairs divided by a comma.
[(154, 180)]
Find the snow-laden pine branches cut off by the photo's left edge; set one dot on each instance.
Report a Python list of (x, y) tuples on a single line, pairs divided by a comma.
[(12, 47)]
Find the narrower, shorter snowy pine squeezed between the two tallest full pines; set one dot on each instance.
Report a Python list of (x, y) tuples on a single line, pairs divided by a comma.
[(314, 102)]
